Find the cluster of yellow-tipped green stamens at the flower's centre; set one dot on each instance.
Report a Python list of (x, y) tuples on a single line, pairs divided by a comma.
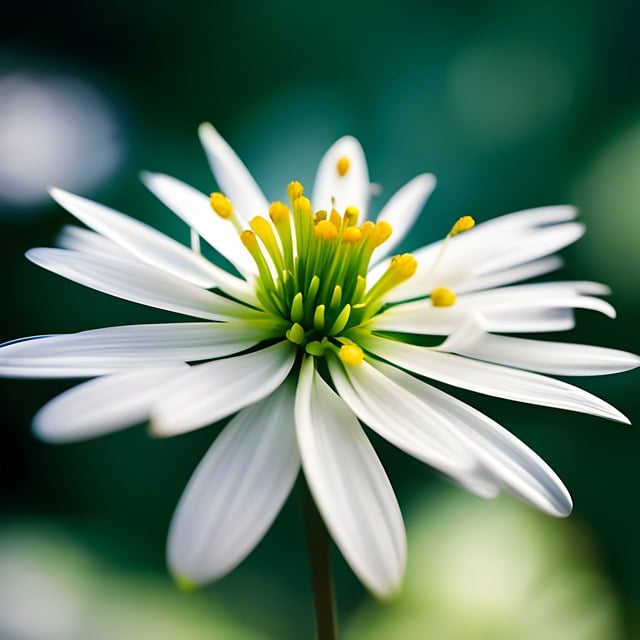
[(312, 269)]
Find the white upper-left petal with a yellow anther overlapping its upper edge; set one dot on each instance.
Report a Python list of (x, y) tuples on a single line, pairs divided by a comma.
[(194, 208)]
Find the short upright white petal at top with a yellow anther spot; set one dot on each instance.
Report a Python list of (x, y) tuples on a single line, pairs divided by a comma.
[(333, 190)]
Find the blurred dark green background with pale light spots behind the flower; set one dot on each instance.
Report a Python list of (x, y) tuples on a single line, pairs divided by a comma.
[(511, 104)]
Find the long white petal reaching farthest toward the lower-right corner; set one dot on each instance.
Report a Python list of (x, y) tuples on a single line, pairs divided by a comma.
[(513, 465)]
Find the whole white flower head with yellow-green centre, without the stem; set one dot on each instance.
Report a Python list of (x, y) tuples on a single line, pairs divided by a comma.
[(306, 341)]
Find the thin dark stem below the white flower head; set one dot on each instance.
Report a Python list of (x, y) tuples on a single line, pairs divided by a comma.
[(319, 561)]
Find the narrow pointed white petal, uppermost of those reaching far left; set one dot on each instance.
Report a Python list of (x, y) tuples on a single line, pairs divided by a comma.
[(144, 242)]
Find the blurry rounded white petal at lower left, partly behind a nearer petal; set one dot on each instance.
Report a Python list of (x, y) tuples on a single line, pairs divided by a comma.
[(103, 405)]
